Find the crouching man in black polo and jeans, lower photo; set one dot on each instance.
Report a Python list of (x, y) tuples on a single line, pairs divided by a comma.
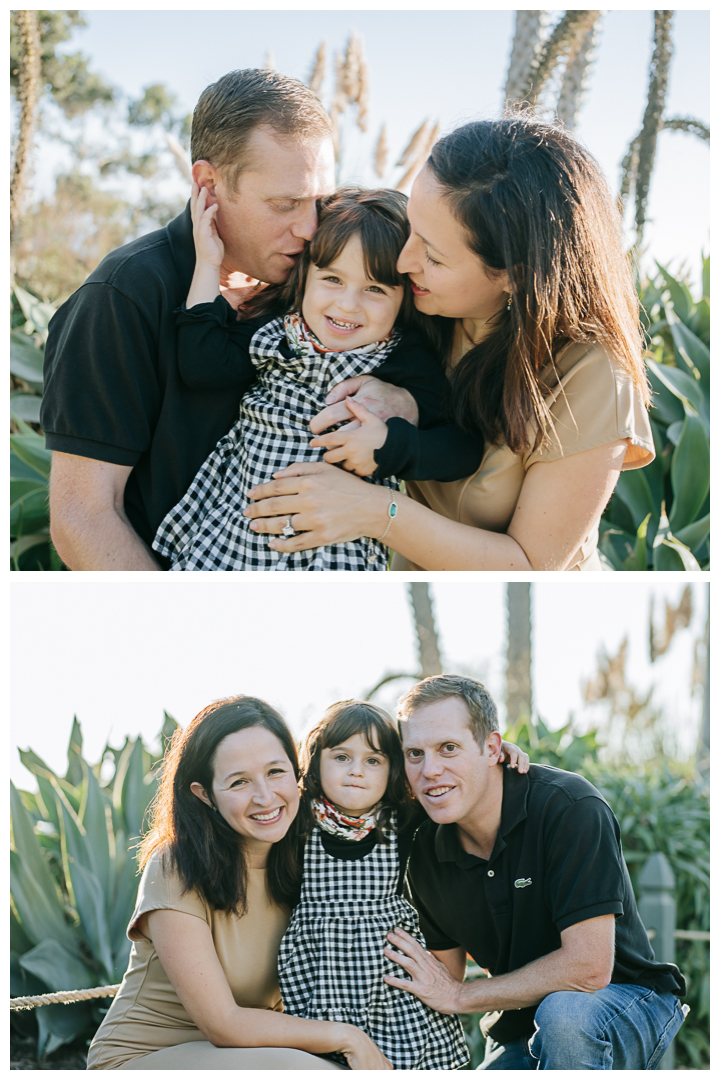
[(526, 874)]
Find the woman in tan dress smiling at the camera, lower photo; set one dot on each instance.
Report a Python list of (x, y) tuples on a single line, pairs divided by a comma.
[(221, 875)]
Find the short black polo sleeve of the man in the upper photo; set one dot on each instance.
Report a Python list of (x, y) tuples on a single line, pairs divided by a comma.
[(102, 395)]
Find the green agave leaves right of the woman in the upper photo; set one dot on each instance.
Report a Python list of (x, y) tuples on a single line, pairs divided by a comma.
[(659, 517)]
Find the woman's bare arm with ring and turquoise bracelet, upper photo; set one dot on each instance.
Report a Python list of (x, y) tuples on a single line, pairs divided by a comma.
[(560, 505)]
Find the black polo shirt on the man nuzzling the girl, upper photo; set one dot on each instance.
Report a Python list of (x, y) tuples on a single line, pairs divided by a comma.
[(113, 387)]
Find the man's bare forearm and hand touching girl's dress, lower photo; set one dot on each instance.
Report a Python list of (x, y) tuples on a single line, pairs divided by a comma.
[(585, 963)]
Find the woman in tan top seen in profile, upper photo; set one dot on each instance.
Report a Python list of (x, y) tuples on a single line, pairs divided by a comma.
[(517, 249)]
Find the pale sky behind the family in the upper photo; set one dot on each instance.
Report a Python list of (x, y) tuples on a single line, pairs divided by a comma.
[(449, 66)]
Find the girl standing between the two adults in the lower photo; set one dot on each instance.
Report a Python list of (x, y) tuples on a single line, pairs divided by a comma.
[(332, 962)]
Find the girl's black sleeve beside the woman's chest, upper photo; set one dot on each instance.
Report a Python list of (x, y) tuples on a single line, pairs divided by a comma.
[(437, 450)]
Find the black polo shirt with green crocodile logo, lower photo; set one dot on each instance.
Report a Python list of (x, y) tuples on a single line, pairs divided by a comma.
[(558, 861)]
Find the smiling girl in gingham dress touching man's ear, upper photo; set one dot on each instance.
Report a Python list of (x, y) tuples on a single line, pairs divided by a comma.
[(345, 312)]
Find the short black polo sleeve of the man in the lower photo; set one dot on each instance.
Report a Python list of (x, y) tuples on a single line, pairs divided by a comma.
[(585, 865)]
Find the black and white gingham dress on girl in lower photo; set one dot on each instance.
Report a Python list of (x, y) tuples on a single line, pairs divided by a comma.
[(332, 962)]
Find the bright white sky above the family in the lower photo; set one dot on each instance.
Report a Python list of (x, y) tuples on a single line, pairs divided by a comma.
[(118, 654)]
